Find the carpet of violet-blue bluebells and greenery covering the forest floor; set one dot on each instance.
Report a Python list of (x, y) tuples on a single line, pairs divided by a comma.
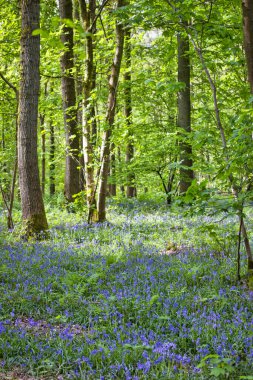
[(108, 302)]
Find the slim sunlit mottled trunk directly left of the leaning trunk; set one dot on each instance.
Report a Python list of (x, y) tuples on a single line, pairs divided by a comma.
[(89, 122)]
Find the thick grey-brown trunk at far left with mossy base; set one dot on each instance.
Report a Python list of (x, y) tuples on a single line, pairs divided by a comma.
[(33, 212)]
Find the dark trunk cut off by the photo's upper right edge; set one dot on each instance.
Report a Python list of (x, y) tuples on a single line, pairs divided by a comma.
[(247, 11)]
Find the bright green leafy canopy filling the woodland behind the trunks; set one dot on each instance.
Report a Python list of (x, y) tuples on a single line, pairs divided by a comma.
[(154, 81)]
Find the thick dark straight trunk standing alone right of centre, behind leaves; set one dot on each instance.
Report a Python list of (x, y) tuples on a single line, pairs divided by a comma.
[(184, 113)]
